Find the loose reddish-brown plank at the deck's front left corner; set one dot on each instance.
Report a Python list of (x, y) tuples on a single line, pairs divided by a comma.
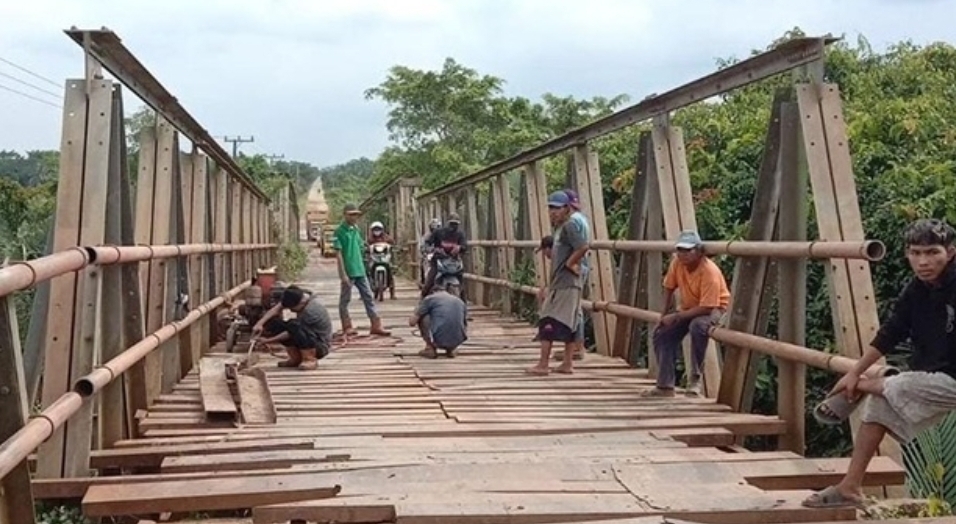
[(203, 495)]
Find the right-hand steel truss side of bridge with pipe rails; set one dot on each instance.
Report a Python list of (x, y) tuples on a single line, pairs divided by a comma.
[(504, 213)]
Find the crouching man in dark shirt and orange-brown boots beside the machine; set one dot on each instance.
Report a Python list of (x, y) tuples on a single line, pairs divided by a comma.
[(306, 338)]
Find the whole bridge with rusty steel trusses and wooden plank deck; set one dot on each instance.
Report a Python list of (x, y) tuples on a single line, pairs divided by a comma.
[(144, 416)]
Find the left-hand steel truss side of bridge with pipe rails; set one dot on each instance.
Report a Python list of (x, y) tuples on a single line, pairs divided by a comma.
[(144, 247)]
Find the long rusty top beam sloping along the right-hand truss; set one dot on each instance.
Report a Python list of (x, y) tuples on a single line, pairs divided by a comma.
[(788, 55)]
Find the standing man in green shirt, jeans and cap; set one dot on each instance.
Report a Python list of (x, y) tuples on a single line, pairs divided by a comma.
[(350, 247)]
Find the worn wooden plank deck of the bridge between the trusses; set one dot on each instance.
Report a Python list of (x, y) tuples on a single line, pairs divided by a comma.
[(377, 434)]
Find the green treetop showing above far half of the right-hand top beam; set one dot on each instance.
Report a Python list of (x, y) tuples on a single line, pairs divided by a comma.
[(447, 123)]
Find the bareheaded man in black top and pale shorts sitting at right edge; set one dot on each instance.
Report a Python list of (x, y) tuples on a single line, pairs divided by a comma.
[(906, 403)]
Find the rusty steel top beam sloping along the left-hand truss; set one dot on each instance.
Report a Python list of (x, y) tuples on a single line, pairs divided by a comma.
[(107, 48)]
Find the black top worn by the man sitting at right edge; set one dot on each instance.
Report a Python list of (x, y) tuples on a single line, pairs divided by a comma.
[(926, 315)]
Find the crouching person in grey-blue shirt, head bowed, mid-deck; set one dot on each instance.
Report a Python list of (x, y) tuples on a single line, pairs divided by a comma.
[(442, 319)]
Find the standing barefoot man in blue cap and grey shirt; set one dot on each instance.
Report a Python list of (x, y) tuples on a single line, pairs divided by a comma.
[(558, 315)]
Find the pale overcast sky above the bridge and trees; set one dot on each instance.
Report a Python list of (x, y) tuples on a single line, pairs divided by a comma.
[(292, 72)]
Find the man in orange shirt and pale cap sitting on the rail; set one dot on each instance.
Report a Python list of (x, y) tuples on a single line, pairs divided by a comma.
[(704, 299)]
